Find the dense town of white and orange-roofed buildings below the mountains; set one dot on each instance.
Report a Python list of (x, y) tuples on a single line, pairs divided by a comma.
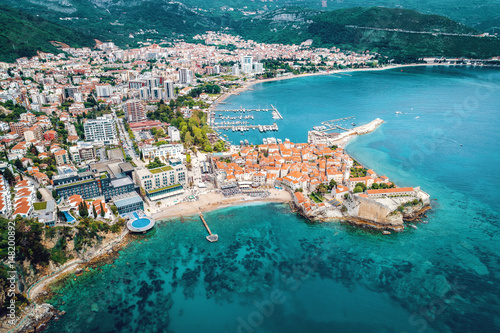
[(113, 129)]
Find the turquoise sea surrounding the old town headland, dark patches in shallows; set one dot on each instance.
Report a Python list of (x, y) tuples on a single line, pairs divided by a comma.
[(273, 271)]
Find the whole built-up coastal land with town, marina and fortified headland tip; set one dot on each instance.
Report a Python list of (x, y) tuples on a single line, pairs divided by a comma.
[(103, 142)]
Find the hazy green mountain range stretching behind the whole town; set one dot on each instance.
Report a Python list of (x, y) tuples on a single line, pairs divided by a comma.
[(127, 21)]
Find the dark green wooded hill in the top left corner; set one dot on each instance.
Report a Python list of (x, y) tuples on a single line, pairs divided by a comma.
[(22, 35)]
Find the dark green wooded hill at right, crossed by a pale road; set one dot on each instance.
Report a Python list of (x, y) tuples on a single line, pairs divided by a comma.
[(418, 34)]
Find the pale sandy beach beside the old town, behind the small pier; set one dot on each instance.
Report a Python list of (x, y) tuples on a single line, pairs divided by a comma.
[(212, 201)]
